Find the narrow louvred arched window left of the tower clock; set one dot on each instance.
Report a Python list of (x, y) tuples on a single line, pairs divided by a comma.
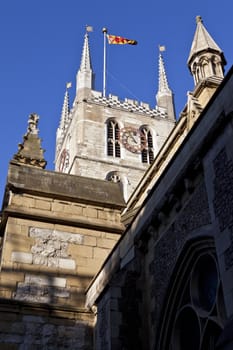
[(113, 139)]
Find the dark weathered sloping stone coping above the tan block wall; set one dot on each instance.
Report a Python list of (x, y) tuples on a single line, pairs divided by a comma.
[(27, 179)]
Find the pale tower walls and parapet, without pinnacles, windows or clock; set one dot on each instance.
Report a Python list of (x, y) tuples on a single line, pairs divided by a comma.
[(86, 140)]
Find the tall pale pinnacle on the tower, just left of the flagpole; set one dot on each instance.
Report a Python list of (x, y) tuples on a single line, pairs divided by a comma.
[(85, 75)]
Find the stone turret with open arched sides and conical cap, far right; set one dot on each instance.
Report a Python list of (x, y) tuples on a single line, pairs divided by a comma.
[(206, 59)]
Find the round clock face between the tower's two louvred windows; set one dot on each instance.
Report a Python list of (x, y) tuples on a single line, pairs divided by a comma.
[(132, 139)]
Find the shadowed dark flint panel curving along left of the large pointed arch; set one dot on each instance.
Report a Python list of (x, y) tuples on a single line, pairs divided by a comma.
[(192, 217)]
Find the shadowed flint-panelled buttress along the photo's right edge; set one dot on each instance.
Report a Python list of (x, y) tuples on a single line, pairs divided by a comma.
[(219, 179)]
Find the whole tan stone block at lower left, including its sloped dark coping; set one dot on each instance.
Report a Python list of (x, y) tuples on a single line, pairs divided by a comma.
[(56, 234)]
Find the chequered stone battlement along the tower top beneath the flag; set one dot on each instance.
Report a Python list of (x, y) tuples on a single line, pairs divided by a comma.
[(130, 105)]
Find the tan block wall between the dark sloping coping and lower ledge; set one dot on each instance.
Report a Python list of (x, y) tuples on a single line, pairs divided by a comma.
[(48, 262)]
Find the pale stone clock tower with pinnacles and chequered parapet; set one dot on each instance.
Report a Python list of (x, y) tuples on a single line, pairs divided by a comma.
[(109, 139)]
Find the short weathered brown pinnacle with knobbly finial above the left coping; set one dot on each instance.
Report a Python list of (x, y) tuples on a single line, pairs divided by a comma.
[(30, 151)]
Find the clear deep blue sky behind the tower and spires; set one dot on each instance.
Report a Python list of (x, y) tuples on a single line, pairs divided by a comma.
[(41, 44)]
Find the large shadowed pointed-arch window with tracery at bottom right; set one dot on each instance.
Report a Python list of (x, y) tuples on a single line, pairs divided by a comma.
[(194, 316)]
